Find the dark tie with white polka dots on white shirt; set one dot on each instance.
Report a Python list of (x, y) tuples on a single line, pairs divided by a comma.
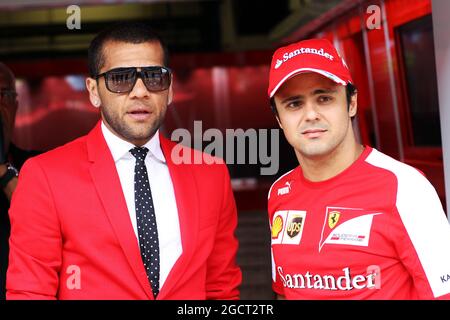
[(146, 219)]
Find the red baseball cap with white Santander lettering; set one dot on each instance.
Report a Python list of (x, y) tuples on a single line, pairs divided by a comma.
[(313, 55)]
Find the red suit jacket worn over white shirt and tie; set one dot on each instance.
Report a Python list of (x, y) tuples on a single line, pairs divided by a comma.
[(72, 238)]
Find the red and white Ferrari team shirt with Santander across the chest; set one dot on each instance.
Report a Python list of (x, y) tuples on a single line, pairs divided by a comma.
[(375, 231)]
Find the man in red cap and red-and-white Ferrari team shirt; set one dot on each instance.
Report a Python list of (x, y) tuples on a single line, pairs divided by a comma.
[(349, 222)]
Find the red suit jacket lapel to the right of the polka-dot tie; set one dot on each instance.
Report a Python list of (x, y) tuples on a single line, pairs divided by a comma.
[(186, 195)]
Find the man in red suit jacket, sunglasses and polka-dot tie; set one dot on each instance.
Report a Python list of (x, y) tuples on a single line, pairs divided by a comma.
[(73, 234)]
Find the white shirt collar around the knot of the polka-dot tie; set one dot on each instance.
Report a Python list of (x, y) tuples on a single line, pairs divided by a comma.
[(120, 148)]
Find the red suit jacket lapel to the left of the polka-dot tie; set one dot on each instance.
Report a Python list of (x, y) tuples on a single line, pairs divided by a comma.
[(106, 181)]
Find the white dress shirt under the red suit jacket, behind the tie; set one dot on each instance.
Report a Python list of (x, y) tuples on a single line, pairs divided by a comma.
[(163, 195)]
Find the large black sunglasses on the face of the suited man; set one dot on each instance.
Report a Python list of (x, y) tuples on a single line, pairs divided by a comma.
[(122, 80)]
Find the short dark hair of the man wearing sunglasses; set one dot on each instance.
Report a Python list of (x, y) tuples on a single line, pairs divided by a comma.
[(129, 32)]
